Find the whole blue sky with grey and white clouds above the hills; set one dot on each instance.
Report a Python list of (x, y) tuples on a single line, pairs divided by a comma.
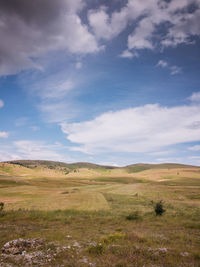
[(110, 82)]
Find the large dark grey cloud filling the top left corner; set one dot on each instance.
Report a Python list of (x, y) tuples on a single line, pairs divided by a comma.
[(29, 29)]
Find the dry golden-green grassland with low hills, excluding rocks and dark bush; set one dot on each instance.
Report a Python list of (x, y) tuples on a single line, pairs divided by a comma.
[(100, 215)]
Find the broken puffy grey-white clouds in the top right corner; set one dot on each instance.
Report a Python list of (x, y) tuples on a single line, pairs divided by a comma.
[(146, 20)]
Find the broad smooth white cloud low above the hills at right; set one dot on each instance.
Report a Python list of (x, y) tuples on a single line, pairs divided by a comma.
[(142, 129)]
